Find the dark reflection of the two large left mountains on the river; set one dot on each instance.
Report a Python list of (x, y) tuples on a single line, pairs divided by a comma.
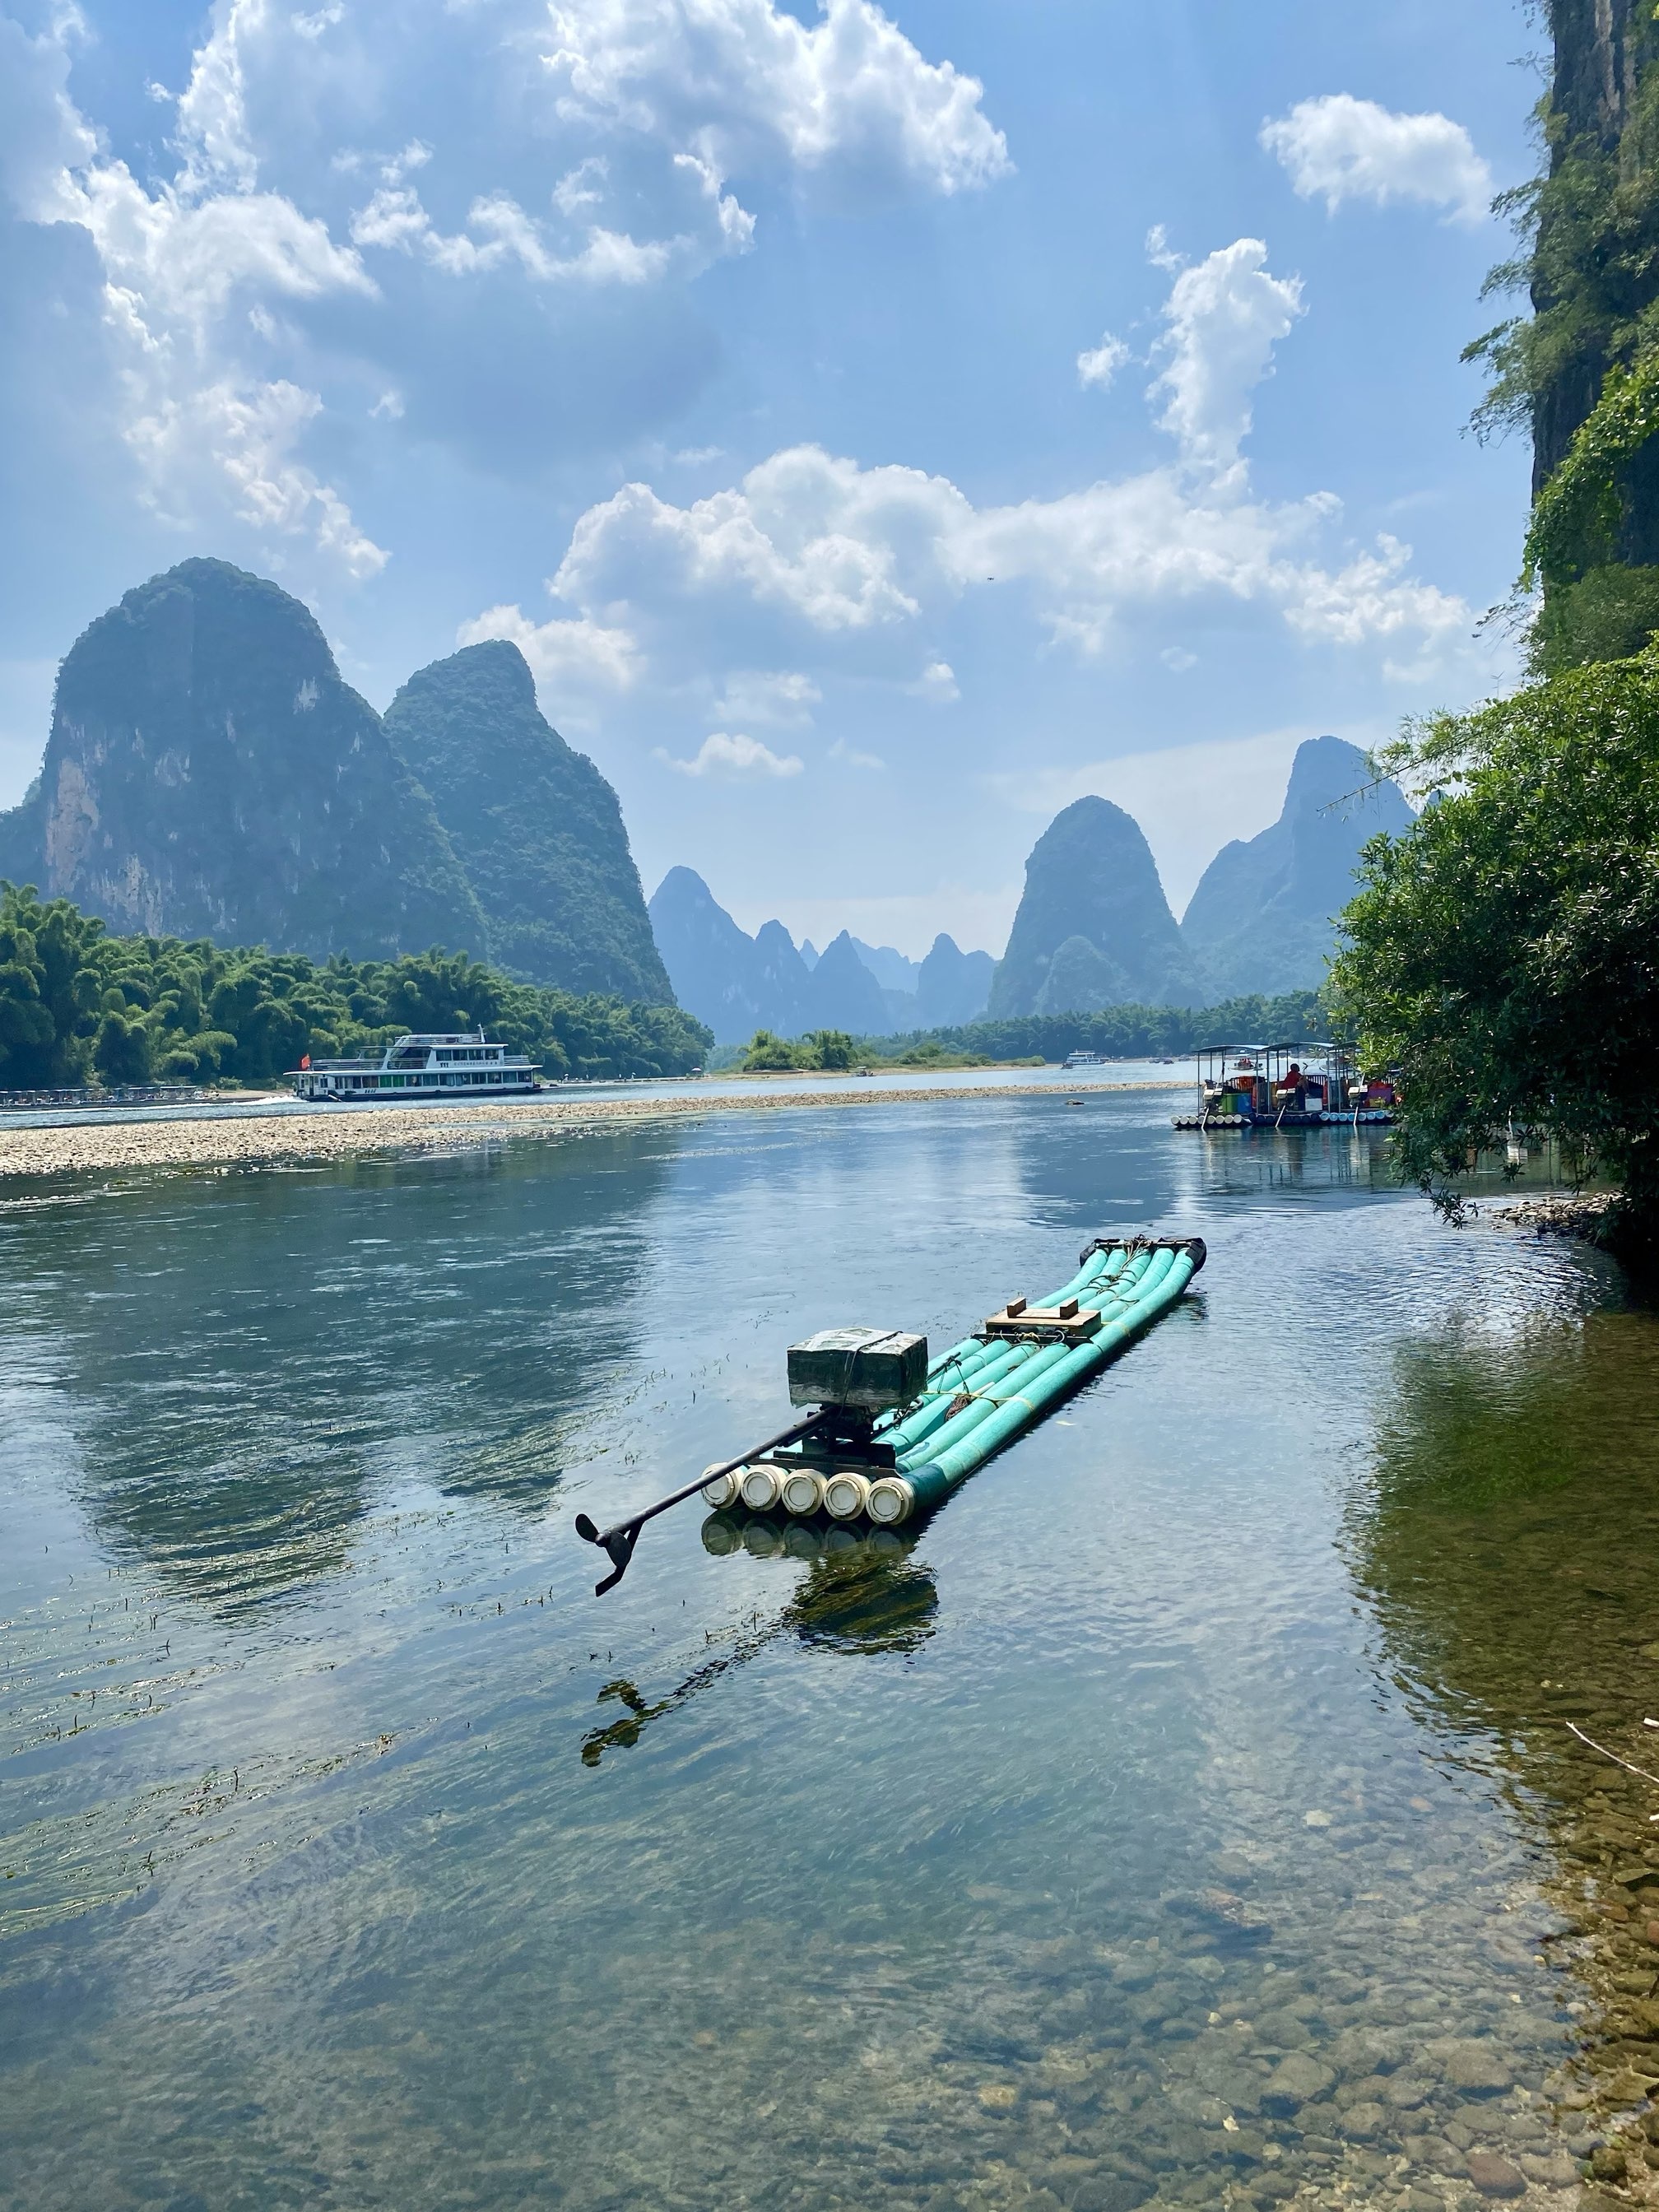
[(247, 1368)]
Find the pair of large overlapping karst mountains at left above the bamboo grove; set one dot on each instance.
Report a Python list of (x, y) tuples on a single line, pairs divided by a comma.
[(209, 775)]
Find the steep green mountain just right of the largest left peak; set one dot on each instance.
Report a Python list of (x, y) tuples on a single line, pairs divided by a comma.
[(534, 824)]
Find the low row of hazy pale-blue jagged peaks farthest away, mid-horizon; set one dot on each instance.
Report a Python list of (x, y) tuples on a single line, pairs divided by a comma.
[(742, 983)]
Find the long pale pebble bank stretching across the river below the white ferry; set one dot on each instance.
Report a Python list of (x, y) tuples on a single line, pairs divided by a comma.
[(337, 1134)]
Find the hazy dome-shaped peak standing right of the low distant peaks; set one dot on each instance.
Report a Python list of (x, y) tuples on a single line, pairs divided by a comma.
[(1094, 926)]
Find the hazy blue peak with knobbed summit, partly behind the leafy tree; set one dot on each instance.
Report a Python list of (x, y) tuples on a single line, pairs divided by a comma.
[(1262, 917)]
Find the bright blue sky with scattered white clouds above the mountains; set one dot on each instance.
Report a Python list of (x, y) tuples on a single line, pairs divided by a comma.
[(879, 428)]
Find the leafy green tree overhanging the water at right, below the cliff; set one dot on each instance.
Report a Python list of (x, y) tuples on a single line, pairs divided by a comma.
[(1503, 954)]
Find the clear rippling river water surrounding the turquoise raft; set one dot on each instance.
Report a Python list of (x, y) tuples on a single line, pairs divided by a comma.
[(1189, 1815)]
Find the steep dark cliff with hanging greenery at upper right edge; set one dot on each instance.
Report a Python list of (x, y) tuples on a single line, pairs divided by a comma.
[(1583, 371)]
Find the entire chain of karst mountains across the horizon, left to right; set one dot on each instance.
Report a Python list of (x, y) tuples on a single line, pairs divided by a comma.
[(211, 775)]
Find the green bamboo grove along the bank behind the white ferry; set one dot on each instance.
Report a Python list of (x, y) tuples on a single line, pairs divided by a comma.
[(79, 1003)]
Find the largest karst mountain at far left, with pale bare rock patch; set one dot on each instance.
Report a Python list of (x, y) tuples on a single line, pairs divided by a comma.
[(209, 775)]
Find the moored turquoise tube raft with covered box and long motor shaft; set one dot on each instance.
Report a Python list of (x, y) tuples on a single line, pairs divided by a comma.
[(890, 1434)]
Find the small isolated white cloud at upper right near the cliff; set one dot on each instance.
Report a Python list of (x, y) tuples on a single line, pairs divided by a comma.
[(1353, 149)]
